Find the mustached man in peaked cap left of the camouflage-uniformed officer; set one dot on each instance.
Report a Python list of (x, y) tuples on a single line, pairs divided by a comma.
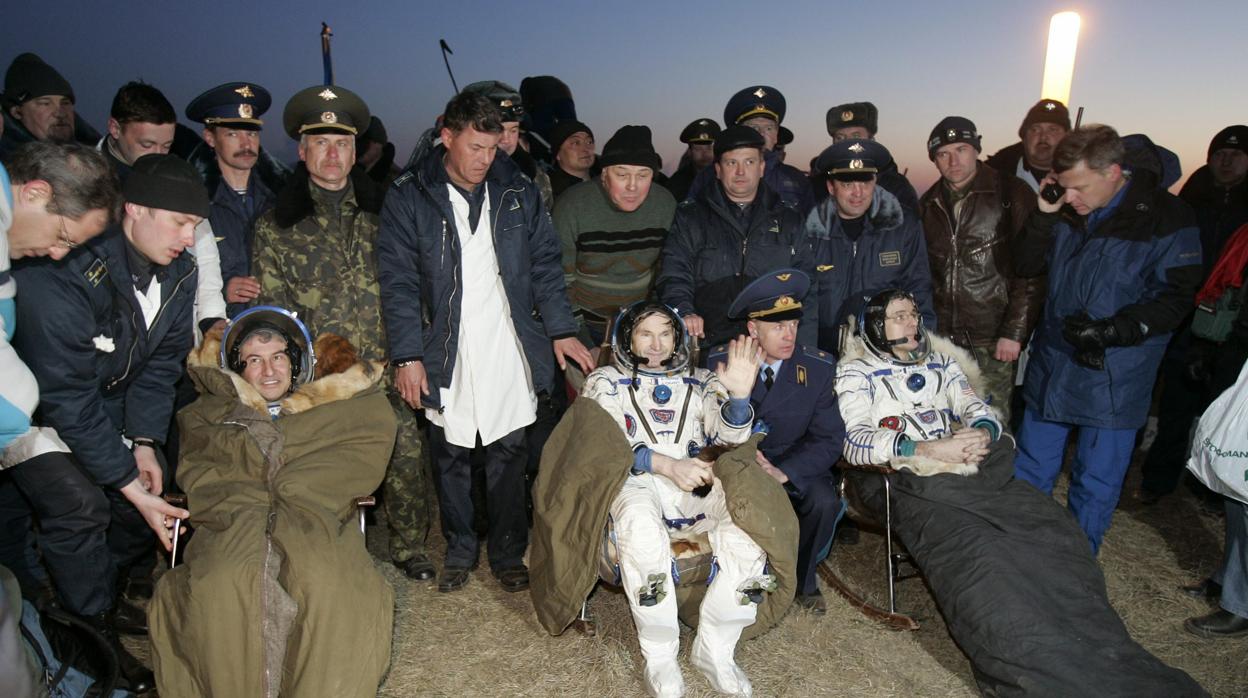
[(240, 189)]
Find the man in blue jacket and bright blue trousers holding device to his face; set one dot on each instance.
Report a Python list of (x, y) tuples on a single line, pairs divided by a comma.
[(1124, 260)]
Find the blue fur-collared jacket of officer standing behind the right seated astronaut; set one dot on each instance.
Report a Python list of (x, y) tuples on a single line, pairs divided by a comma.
[(890, 254)]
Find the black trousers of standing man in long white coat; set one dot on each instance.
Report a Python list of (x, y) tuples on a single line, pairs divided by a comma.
[(505, 466)]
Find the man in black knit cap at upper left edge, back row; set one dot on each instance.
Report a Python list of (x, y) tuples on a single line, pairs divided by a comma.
[(38, 107)]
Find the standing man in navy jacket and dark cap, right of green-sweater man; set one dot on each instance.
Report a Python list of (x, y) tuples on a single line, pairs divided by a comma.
[(728, 235)]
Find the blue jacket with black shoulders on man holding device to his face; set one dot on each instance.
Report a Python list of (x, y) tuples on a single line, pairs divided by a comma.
[(1143, 263)]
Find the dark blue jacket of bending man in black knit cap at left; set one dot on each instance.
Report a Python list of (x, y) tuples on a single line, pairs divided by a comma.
[(103, 374)]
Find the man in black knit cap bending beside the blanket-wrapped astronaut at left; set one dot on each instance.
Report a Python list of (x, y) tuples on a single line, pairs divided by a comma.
[(105, 334)]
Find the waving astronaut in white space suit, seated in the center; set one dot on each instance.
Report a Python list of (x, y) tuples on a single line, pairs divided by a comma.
[(670, 413)]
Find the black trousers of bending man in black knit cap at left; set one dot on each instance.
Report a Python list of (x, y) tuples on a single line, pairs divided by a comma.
[(87, 533)]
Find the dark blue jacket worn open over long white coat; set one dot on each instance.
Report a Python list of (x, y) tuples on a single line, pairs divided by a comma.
[(422, 279)]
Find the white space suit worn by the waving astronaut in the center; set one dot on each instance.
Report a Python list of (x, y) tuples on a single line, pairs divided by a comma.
[(675, 414)]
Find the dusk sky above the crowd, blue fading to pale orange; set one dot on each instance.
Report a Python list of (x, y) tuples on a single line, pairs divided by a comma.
[(1168, 69)]
